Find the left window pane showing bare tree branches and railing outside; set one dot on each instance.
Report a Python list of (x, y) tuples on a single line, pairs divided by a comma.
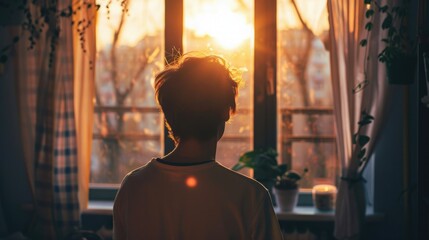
[(127, 126)]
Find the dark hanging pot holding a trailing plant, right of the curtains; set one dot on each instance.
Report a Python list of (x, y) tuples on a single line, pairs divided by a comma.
[(401, 70)]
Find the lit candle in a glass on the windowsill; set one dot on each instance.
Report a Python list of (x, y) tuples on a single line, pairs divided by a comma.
[(324, 197)]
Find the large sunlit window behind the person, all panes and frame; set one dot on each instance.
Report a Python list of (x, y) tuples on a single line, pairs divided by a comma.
[(286, 100)]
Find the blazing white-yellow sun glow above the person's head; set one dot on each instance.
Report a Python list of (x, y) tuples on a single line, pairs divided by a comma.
[(230, 28)]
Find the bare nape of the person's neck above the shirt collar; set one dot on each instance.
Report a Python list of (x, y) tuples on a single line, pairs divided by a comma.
[(193, 151)]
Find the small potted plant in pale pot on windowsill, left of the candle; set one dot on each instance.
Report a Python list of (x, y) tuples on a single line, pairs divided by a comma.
[(286, 190)]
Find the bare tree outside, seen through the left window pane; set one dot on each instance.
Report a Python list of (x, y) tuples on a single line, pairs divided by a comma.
[(119, 78)]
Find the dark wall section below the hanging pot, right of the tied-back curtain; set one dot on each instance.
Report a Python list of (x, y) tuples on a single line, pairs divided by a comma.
[(388, 173)]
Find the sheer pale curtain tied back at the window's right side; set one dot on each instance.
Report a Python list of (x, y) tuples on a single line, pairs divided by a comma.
[(347, 21)]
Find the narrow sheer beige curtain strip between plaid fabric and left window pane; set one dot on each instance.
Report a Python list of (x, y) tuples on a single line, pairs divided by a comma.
[(84, 75)]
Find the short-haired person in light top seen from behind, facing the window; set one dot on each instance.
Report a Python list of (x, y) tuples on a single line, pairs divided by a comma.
[(187, 194)]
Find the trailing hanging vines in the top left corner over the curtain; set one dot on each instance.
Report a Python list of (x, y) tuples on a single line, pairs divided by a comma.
[(38, 16)]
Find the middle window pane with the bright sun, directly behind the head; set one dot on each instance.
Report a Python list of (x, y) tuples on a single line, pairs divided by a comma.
[(226, 28)]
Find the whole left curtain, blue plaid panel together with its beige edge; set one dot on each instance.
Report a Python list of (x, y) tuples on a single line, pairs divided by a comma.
[(55, 97)]
